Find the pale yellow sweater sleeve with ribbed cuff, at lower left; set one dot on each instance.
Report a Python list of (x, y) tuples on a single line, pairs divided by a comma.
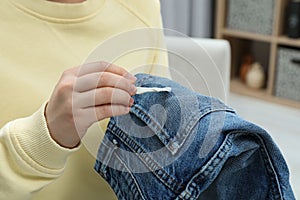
[(29, 158)]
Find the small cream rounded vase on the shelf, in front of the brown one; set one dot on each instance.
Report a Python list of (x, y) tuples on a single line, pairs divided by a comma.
[(255, 77)]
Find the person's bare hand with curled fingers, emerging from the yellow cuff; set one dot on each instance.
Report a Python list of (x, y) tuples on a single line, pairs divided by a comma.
[(85, 95)]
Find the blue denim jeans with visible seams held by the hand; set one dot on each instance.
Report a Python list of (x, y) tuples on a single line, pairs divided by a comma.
[(183, 145)]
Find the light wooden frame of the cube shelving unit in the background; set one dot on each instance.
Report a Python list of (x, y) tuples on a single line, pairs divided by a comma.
[(241, 41)]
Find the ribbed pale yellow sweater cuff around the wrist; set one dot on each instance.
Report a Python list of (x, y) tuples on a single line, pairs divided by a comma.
[(32, 141)]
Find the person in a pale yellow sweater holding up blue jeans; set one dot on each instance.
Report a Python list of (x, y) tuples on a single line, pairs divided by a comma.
[(41, 154)]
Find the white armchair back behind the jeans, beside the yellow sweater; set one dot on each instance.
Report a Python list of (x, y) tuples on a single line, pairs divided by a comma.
[(201, 64)]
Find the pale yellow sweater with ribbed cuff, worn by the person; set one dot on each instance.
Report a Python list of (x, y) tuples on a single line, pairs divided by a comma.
[(40, 39)]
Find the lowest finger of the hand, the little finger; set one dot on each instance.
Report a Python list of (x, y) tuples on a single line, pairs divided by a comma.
[(105, 111)]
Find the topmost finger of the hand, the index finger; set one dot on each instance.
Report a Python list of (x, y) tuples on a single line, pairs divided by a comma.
[(104, 67)]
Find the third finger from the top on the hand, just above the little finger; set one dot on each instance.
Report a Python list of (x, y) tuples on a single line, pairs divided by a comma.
[(102, 96)]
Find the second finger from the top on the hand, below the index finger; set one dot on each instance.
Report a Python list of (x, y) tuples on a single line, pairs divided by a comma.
[(103, 79)]
